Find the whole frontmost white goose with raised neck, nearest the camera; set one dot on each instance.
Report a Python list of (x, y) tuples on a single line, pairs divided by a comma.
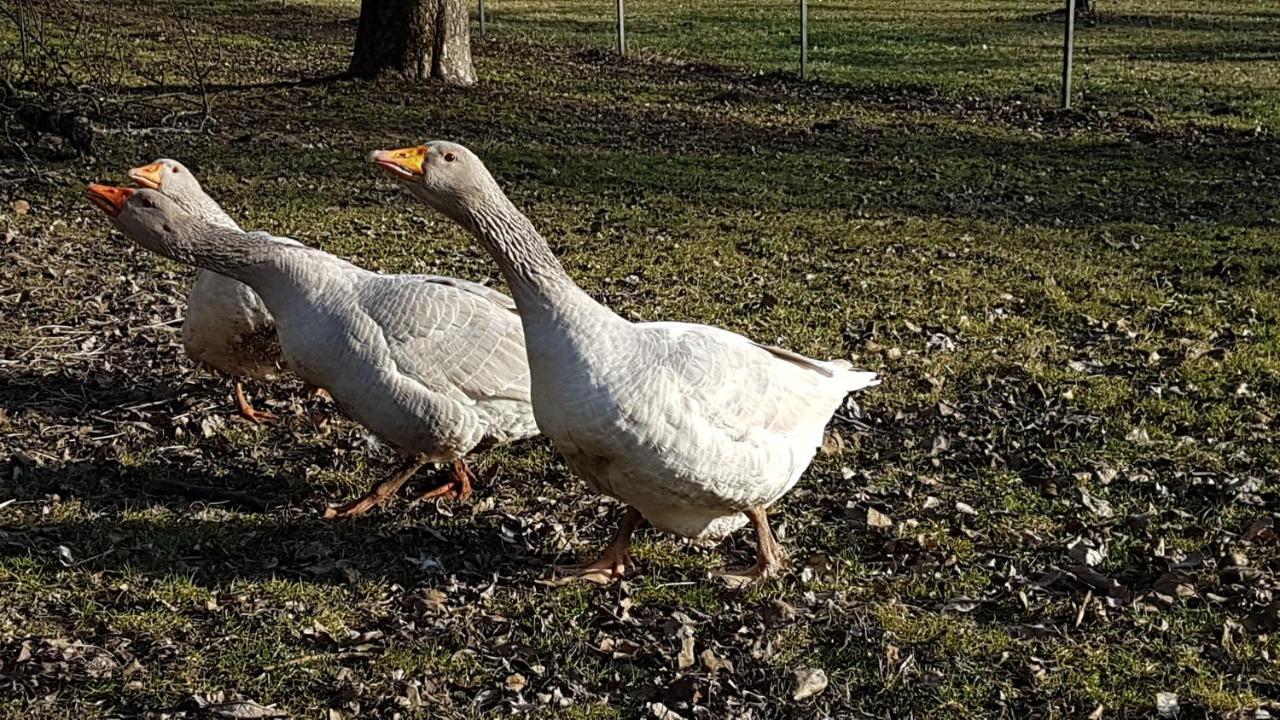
[(696, 429)]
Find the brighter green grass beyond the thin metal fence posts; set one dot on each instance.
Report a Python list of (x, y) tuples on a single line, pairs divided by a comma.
[(1186, 58)]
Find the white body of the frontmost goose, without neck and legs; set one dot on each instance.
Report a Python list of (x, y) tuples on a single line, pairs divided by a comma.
[(689, 425)]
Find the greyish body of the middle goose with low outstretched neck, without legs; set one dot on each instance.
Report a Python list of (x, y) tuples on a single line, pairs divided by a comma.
[(432, 366)]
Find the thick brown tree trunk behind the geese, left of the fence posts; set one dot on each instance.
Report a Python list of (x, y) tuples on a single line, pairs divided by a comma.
[(414, 40)]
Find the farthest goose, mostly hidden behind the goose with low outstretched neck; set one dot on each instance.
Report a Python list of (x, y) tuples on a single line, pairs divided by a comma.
[(227, 325)]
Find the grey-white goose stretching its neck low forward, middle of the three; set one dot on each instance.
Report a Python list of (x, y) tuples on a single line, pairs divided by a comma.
[(433, 366)]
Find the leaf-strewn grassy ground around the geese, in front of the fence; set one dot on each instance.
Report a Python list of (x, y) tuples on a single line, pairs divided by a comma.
[(1076, 315)]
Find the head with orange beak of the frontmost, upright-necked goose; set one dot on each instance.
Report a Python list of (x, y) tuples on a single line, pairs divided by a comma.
[(445, 176)]
